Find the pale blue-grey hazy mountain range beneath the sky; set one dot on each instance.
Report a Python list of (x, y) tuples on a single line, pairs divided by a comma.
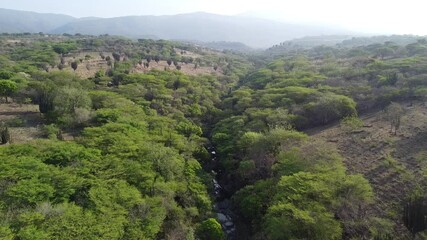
[(205, 27)]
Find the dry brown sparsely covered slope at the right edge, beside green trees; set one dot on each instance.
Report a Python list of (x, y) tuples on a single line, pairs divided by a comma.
[(393, 164)]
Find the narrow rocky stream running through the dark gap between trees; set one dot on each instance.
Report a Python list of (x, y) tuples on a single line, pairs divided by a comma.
[(222, 204)]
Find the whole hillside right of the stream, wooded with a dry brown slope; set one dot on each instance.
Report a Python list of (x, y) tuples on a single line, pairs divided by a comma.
[(293, 187)]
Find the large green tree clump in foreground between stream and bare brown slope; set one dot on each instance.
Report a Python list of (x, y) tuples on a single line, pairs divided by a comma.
[(310, 189)]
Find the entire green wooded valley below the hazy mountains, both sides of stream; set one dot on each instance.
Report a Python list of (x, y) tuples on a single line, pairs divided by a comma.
[(111, 138)]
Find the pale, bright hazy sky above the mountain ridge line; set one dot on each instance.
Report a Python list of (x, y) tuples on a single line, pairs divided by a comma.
[(374, 16)]
